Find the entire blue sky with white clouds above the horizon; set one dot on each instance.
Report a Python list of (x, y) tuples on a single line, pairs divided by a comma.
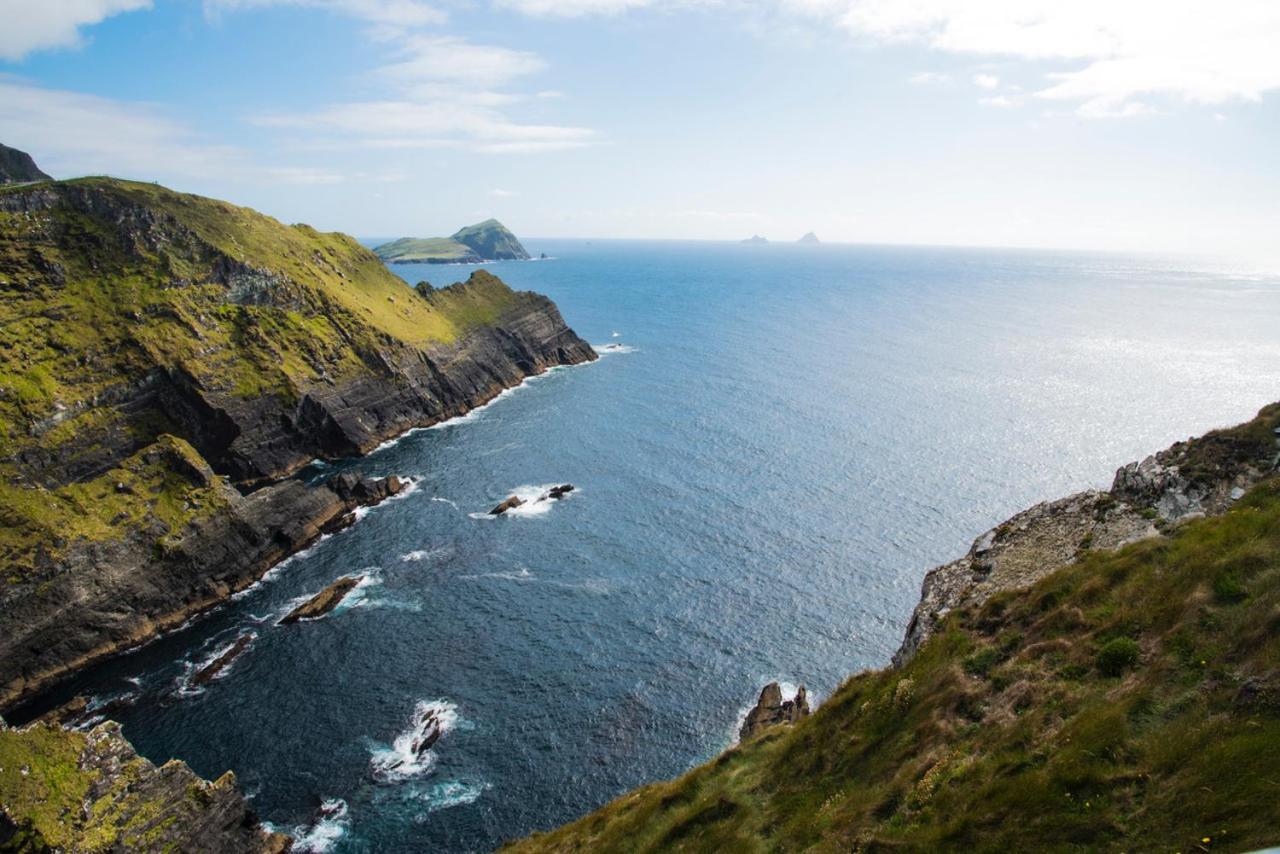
[(1119, 125)]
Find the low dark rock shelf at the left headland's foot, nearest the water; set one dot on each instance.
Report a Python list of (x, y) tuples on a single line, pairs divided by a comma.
[(115, 596)]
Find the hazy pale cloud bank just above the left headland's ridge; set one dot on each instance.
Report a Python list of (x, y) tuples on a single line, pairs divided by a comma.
[(70, 134)]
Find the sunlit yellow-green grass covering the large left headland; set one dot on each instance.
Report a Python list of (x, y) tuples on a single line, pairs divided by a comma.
[(85, 308)]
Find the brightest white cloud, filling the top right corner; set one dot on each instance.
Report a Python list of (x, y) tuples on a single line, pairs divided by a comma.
[(1117, 52)]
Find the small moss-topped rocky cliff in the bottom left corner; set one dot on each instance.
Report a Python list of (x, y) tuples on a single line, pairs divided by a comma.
[(76, 792)]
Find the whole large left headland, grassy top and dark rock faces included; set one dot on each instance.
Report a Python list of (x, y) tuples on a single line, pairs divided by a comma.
[(164, 362)]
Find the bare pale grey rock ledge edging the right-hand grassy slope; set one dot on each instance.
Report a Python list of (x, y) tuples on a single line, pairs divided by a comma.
[(1187, 481)]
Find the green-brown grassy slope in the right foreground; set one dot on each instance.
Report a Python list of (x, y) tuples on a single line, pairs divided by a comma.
[(1107, 709)]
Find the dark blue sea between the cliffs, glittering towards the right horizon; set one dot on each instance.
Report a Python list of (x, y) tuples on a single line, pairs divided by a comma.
[(779, 447)]
